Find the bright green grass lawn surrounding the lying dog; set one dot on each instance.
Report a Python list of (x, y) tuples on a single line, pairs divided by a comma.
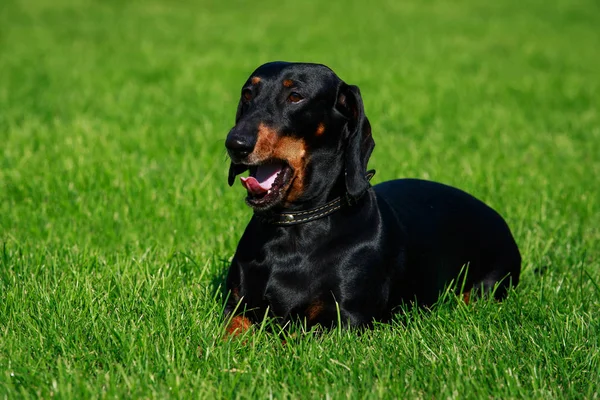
[(116, 221)]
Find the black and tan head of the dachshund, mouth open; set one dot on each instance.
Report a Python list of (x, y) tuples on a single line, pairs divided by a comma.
[(303, 134)]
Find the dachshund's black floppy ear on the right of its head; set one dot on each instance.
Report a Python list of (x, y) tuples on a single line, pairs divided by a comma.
[(359, 142)]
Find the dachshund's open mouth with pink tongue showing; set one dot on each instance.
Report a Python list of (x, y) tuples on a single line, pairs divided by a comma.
[(267, 184)]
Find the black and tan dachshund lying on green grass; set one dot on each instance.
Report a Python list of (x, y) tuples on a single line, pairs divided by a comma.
[(321, 240)]
